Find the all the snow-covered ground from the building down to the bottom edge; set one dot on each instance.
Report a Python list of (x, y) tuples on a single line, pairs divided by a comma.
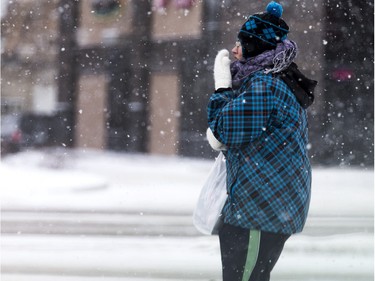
[(102, 211)]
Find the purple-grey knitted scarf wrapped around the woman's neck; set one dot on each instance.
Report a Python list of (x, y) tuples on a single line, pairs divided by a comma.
[(271, 61)]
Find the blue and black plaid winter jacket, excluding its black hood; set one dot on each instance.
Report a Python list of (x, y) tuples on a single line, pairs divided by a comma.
[(268, 170)]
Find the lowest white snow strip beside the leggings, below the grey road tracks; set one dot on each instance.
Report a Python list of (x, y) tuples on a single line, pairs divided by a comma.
[(333, 258)]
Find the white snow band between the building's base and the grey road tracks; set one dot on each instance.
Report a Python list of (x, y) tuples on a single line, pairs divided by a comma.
[(77, 180)]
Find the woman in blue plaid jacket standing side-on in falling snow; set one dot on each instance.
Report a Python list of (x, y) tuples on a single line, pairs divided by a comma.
[(257, 117)]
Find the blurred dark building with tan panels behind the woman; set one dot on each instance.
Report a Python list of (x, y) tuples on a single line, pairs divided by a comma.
[(135, 76)]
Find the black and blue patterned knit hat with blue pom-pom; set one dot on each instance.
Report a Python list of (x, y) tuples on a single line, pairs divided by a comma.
[(263, 31)]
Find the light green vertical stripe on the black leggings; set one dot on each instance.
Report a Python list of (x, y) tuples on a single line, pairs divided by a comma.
[(252, 254)]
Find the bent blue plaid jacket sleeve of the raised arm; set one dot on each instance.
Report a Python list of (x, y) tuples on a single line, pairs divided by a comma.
[(237, 120)]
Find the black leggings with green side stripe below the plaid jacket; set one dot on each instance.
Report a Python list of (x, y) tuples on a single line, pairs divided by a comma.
[(249, 255)]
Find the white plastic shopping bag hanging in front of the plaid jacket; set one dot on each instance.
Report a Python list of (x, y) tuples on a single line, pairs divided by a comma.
[(212, 198)]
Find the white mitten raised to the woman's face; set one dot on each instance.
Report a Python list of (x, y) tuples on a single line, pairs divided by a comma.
[(222, 75)]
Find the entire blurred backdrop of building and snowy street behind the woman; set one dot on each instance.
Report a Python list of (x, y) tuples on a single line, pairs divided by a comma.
[(103, 148)]
